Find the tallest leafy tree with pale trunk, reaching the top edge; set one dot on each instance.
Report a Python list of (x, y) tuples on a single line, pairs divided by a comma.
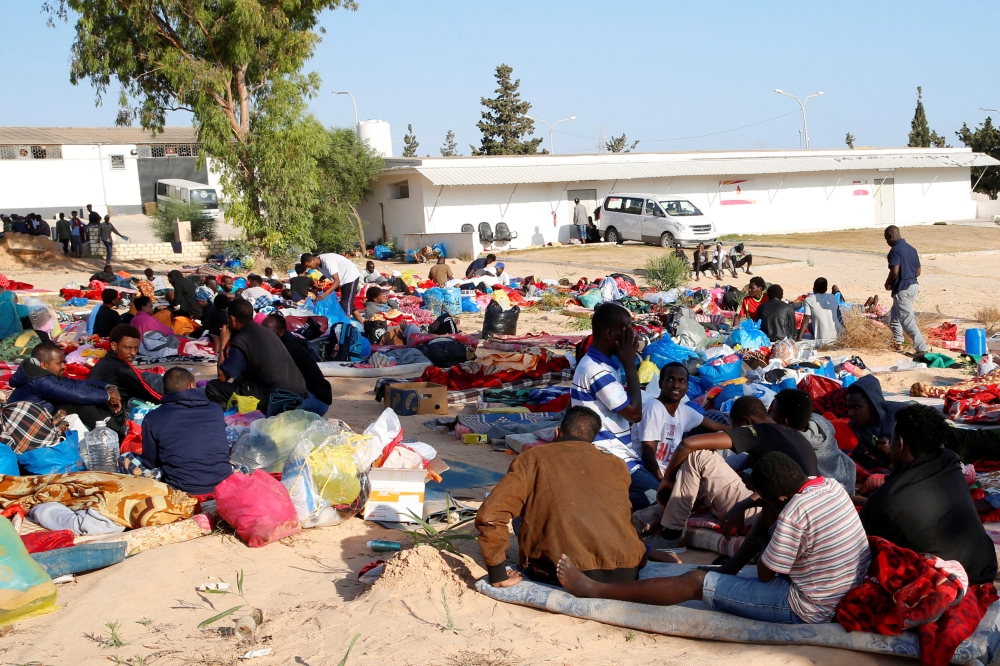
[(235, 66)]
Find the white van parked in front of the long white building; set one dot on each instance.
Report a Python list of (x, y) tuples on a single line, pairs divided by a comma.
[(654, 219)]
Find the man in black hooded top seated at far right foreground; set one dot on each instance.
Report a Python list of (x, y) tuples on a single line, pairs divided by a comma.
[(925, 505)]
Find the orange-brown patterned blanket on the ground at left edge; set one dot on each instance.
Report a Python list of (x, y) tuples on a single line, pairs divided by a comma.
[(127, 500)]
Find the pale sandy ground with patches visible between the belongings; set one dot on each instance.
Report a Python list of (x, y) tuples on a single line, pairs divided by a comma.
[(309, 582)]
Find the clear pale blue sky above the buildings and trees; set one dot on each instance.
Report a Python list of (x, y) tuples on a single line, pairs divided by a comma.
[(651, 69)]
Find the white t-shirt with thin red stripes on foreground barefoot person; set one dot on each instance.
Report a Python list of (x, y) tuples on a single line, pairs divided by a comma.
[(819, 543)]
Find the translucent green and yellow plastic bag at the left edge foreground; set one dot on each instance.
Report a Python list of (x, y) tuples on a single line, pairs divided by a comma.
[(27, 589)]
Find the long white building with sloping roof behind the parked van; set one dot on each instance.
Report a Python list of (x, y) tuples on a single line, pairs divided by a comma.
[(417, 200)]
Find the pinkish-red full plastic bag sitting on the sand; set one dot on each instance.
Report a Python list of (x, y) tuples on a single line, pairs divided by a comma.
[(258, 507)]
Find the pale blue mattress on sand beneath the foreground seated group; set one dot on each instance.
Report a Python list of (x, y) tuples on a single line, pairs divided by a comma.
[(694, 620)]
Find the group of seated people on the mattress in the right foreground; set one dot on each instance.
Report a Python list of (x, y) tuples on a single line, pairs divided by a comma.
[(778, 472)]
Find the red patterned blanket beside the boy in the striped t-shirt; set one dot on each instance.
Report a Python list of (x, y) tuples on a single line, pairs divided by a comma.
[(904, 590)]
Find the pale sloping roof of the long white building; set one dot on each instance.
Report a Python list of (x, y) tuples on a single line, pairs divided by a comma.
[(508, 169)]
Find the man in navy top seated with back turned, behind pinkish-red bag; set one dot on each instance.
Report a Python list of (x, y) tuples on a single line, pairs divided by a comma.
[(185, 438)]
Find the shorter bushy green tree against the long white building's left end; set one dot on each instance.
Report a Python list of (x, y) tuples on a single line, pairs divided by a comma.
[(348, 167)]
